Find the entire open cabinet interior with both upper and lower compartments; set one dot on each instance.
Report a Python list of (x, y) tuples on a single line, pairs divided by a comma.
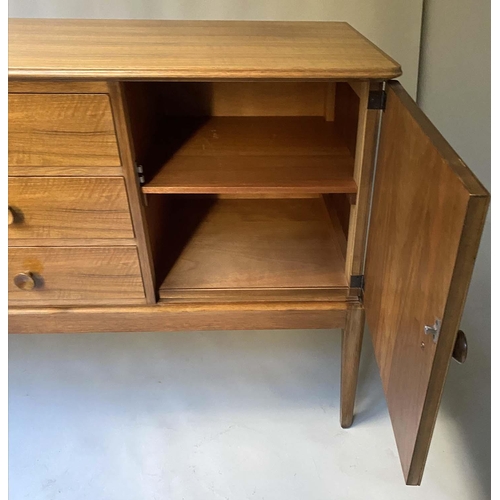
[(248, 185)]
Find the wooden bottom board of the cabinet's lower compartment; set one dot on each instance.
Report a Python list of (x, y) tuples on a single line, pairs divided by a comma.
[(232, 249)]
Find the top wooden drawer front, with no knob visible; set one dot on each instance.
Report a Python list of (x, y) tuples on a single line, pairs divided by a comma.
[(61, 130)]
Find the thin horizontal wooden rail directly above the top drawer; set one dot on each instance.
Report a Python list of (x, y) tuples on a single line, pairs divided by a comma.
[(57, 87)]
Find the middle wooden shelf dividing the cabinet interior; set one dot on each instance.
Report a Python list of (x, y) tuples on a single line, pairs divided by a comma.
[(245, 155)]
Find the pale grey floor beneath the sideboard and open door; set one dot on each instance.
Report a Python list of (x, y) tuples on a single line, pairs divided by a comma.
[(222, 415)]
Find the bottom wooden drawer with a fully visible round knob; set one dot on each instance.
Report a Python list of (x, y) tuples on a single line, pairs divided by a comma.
[(74, 275)]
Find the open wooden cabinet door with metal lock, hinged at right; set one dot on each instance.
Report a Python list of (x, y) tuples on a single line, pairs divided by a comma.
[(427, 216)]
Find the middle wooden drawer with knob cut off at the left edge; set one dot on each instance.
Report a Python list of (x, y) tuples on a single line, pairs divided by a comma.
[(68, 207)]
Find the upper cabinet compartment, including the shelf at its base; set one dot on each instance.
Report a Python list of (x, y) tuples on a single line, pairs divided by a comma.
[(244, 137)]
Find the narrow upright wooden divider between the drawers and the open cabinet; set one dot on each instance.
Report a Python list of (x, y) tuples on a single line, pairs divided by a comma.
[(135, 196)]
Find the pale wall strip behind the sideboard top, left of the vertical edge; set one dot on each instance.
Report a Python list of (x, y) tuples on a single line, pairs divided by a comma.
[(394, 25)]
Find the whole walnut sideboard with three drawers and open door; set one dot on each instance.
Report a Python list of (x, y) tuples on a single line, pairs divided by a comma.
[(169, 175)]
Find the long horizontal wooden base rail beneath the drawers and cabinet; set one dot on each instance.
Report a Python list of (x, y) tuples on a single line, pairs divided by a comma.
[(165, 317)]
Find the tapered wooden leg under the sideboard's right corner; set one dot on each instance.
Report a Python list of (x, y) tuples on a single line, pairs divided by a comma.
[(352, 337)]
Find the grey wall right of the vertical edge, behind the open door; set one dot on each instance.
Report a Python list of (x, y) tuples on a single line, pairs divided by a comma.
[(454, 91)]
